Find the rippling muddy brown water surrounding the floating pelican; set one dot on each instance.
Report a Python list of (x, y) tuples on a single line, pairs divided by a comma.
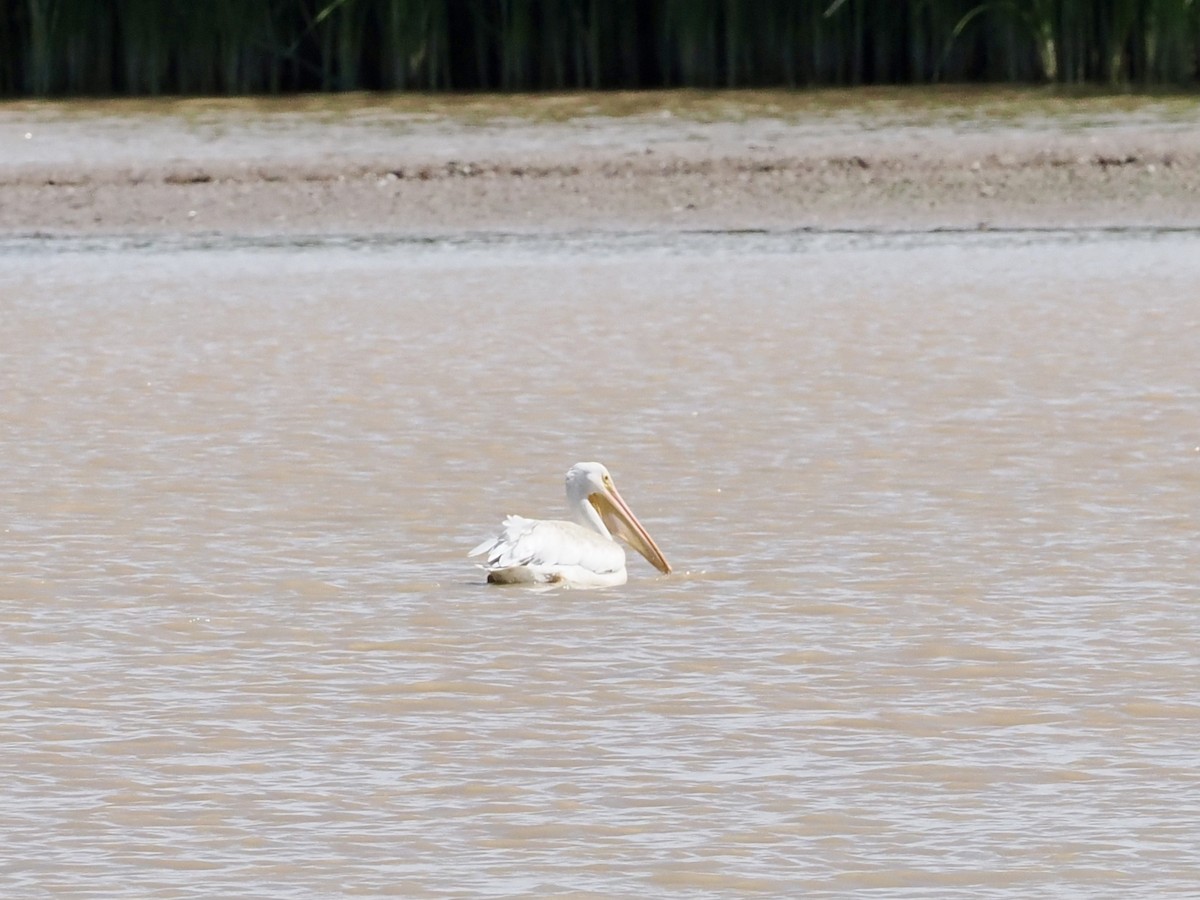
[(932, 501)]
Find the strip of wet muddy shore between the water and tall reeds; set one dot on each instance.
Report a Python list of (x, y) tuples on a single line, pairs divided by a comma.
[(866, 160)]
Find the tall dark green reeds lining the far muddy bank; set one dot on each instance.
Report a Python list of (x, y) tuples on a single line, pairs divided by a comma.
[(55, 47)]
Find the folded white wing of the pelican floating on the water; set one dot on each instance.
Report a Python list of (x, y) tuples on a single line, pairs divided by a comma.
[(543, 544)]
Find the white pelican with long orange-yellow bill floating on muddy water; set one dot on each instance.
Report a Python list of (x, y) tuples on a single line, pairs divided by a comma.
[(581, 554)]
